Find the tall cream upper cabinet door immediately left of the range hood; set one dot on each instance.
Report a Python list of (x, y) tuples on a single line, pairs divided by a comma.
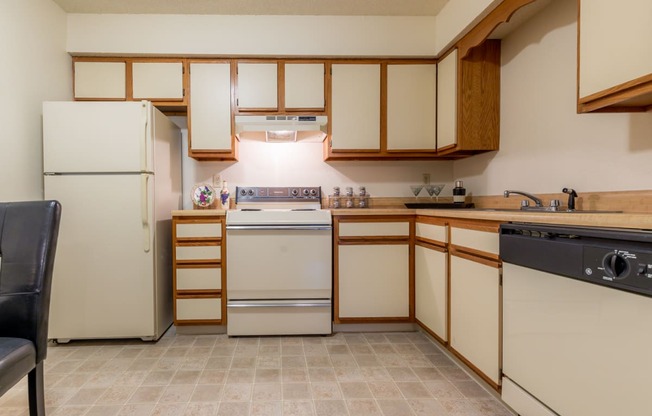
[(209, 118)]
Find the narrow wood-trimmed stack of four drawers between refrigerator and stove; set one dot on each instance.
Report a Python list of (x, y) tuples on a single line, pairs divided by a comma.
[(199, 273)]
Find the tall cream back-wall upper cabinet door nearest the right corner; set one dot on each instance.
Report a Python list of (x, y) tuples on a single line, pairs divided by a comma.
[(411, 107)]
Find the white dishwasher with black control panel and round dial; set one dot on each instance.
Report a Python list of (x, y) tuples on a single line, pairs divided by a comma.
[(577, 314)]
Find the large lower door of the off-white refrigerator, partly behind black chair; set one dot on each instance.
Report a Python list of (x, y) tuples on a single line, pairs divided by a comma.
[(104, 279)]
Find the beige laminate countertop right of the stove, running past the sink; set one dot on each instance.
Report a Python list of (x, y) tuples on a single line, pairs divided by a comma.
[(592, 219)]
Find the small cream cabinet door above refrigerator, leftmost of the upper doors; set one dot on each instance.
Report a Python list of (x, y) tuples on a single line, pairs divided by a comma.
[(100, 80)]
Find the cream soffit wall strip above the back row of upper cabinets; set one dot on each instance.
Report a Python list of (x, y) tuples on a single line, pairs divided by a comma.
[(251, 35)]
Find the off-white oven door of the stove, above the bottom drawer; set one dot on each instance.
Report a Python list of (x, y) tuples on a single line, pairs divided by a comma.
[(279, 262)]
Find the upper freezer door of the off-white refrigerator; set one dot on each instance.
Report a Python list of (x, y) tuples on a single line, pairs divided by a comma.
[(81, 137)]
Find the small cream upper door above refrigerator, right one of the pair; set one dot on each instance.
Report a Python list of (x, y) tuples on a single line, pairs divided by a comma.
[(157, 80)]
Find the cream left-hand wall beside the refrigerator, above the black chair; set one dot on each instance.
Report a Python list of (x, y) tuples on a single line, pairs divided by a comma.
[(34, 67)]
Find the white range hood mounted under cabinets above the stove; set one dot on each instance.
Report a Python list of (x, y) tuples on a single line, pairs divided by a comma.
[(286, 128)]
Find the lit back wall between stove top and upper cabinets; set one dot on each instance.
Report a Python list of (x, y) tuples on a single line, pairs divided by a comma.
[(301, 164)]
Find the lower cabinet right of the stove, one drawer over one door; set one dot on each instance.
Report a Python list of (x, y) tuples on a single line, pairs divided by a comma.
[(374, 273)]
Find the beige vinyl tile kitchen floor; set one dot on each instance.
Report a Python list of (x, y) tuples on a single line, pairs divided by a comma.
[(353, 374)]
